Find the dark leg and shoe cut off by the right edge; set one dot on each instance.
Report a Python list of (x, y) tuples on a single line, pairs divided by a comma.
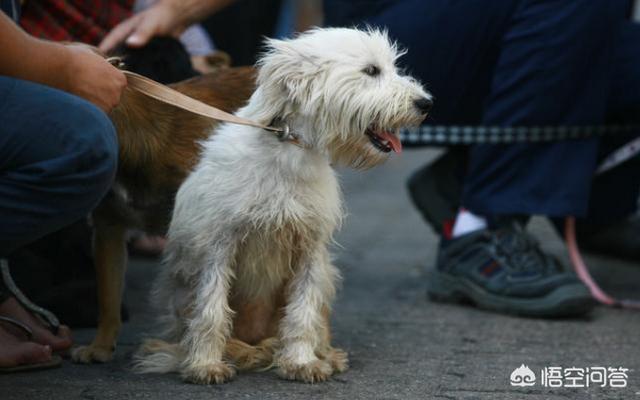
[(612, 223)]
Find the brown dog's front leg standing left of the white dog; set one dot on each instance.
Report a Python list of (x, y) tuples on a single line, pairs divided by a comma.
[(110, 258)]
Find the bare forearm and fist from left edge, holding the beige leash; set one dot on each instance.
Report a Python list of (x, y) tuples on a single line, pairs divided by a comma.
[(72, 68)]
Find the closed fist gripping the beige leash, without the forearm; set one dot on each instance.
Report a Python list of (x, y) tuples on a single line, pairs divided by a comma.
[(90, 76)]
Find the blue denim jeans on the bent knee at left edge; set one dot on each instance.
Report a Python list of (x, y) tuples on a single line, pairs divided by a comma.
[(58, 156)]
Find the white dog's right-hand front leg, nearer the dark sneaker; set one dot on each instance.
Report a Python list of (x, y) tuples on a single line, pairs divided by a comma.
[(303, 325)]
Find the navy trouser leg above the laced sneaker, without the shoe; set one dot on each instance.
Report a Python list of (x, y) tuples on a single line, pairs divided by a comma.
[(555, 68)]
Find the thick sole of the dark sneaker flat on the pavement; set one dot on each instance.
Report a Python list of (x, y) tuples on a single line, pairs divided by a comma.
[(565, 301)]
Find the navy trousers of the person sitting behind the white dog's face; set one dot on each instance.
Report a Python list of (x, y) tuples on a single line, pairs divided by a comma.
[(521, 62)]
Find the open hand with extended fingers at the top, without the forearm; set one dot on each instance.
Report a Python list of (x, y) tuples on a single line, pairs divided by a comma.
[(164, 18)]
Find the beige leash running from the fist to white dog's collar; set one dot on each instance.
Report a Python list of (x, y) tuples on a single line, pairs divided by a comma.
[(170, 96)]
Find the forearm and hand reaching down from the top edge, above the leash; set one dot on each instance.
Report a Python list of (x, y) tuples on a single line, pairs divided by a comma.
[(164, 18)]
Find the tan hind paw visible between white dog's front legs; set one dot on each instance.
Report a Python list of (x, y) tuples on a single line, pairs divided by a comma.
[(246, 357)]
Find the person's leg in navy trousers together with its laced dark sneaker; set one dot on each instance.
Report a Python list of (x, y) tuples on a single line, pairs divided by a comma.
[(555, 68)]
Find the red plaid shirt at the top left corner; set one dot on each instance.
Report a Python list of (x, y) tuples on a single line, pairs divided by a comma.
[(86, 21)]
